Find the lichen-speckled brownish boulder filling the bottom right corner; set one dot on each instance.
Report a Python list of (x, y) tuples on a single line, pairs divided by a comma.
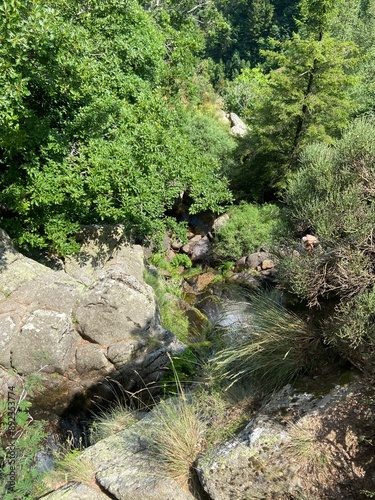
[(301, 442)]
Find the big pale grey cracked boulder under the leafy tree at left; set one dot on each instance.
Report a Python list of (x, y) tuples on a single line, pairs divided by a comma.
[(73, 330)]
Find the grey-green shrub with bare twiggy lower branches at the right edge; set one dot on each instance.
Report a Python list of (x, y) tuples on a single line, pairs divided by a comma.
[(332, 196)]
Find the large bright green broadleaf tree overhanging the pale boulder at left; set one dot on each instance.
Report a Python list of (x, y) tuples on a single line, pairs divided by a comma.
[(92, 130)]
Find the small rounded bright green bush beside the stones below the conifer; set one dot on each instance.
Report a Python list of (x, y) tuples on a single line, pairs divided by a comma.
[(249, 228)]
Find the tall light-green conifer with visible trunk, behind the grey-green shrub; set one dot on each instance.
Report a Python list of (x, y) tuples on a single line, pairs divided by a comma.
[(307, 98)]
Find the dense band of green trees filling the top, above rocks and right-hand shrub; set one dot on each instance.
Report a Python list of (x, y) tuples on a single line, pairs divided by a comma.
[(109, 108)]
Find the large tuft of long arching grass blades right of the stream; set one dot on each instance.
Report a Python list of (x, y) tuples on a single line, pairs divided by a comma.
[(268, 348)]
